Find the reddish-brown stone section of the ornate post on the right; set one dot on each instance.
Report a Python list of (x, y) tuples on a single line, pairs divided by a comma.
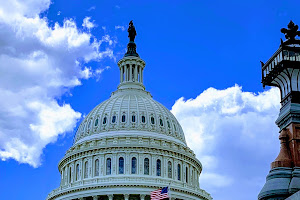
[(289, 155)]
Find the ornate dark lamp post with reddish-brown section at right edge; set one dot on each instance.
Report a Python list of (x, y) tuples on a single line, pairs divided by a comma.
[(283, 71)]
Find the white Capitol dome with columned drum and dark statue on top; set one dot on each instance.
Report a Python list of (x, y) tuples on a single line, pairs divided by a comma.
[(128, 146)]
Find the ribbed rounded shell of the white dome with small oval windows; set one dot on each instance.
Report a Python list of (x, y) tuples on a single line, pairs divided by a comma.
[(129, 109)]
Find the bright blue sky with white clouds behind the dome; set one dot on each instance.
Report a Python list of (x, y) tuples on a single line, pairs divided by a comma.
[(59, 60)]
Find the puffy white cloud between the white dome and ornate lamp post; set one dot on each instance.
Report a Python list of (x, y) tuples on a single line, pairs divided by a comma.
[(234, 136)]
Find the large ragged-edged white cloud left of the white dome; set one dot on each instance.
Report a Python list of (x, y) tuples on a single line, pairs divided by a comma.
[(39, 64)]
